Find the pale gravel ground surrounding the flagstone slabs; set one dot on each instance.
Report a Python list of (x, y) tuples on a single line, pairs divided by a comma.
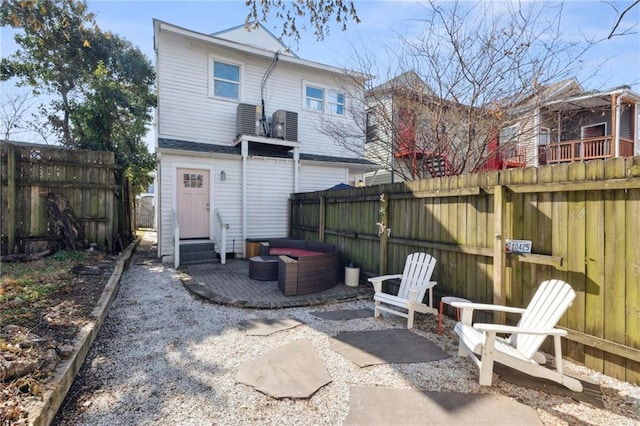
[(165, 357)]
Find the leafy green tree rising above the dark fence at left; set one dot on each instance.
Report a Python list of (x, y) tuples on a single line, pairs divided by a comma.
[(103, 85)]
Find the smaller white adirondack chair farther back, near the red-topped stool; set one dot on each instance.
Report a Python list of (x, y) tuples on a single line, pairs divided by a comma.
[(413, 286)]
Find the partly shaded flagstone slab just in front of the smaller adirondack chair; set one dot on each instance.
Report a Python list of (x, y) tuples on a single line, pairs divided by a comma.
[(374, 347)]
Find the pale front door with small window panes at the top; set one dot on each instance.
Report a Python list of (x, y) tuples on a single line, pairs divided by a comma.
[(193, 203)]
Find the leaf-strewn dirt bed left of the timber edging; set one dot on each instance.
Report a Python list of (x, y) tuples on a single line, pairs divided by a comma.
[(43, 306)]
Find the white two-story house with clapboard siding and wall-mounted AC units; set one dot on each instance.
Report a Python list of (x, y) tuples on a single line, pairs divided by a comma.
[(239, 128)]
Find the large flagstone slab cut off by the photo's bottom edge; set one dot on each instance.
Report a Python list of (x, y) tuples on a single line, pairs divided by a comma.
[(381, 406)]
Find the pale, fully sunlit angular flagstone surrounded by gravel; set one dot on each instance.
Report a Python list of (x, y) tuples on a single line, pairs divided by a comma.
[(294, 370)]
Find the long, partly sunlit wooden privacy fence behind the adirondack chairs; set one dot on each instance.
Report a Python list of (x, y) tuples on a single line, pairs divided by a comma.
[(583, 220)]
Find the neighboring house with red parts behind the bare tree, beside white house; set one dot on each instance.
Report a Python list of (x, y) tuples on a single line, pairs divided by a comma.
[(414, 133)]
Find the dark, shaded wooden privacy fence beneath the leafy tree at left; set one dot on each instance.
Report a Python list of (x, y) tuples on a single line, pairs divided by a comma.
[(94, 186)]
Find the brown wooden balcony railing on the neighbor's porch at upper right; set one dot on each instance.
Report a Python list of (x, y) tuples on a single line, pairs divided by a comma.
[(582, 150)]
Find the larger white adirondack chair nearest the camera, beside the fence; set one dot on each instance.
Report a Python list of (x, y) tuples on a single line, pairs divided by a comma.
[(520, 349)]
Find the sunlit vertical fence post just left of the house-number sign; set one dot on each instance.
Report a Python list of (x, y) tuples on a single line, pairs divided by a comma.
[(499, 254)]
